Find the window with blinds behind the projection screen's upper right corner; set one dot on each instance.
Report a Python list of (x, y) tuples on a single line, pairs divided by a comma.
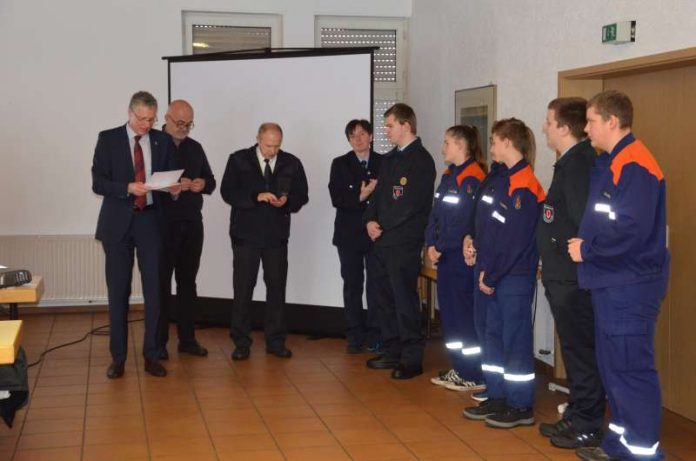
[(388, 65)]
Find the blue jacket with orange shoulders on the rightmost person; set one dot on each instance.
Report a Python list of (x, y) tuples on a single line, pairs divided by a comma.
[(624, 225)]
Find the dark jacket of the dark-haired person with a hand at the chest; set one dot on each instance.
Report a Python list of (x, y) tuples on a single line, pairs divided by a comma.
[(347, 175)]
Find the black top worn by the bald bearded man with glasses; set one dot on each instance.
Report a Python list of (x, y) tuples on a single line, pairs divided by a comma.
[(190, 157)]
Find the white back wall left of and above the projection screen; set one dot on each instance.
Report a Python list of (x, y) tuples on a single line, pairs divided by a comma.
[(68, 70)]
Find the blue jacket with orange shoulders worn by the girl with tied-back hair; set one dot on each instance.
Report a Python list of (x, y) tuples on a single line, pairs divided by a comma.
[(450, 218)]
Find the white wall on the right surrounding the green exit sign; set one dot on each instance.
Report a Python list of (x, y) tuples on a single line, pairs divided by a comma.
[(521, 45)]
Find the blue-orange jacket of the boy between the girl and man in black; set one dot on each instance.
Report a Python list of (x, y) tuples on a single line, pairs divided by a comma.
[(506, 241)]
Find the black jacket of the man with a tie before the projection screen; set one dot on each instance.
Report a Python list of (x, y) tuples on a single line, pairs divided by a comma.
[(253, 222)]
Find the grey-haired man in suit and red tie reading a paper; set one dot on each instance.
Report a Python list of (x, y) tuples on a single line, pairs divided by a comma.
[(130, 219)]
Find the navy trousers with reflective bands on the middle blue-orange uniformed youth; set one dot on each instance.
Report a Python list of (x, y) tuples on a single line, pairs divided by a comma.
[(509, 342)]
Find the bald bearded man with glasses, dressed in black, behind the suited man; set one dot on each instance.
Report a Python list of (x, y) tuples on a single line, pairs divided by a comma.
[(183, 234)]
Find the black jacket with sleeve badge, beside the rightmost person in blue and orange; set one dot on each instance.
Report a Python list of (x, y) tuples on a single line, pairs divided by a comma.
[(563, 210)]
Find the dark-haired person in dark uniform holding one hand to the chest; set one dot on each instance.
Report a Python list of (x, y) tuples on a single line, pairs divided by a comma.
[(353, 179)]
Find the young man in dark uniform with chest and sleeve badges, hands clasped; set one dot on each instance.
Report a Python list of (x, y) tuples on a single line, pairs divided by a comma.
[(396, 219)]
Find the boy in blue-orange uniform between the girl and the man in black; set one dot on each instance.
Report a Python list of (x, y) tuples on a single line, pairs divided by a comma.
[(507, 261)]
